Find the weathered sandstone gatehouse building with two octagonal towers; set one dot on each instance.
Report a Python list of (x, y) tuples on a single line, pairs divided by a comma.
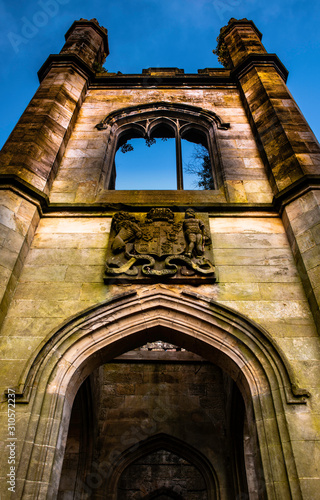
[(161, 343)]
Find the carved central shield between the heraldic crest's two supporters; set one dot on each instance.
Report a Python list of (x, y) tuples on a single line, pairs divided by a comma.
[(161, 238)]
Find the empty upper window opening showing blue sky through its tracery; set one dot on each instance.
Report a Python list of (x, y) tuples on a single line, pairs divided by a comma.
[(163, 160)]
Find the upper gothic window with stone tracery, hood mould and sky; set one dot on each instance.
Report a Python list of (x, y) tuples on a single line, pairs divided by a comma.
[(178, 144)]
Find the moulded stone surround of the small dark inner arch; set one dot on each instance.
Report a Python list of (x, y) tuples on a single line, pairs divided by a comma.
[(180, 448)]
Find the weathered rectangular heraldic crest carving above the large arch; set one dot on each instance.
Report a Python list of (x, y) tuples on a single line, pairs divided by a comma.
[(160, 245)]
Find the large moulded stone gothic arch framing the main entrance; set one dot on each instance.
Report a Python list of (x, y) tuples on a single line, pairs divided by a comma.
[(241, 348)]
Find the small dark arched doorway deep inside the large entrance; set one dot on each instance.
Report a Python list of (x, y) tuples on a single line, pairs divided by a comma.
[(155, 469)]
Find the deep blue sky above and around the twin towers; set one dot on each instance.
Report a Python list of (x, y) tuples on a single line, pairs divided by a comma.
[(144, 33)]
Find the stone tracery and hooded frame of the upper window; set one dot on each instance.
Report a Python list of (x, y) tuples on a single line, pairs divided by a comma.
[(177, 116)]
